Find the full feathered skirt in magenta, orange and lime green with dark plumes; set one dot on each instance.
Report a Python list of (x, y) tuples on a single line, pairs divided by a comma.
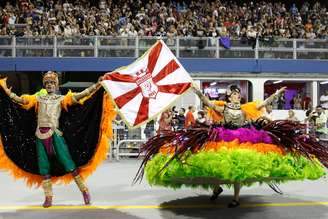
[(276, 152)]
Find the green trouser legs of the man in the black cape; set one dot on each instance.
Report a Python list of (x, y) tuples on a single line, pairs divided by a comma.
[(61, 153)]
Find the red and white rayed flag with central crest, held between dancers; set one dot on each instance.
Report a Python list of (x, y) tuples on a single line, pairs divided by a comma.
[(148, 86)]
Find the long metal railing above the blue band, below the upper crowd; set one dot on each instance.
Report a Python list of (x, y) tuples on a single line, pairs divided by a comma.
[(183, 47)]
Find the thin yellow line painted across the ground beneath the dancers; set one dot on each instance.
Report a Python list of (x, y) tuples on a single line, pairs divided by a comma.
[(187, 206)]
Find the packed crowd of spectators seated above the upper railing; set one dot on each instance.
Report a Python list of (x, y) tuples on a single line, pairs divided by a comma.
[(132, 18)]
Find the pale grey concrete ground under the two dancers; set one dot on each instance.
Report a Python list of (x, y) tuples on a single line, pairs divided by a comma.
[(113, 196)]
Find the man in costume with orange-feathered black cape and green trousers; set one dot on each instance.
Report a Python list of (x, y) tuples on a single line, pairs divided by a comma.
[(69, 143)]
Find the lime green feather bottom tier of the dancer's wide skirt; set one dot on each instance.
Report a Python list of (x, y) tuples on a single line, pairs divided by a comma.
[(240, 165)]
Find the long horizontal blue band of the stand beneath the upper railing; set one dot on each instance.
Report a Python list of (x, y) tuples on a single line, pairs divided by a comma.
[(191, 65)]
